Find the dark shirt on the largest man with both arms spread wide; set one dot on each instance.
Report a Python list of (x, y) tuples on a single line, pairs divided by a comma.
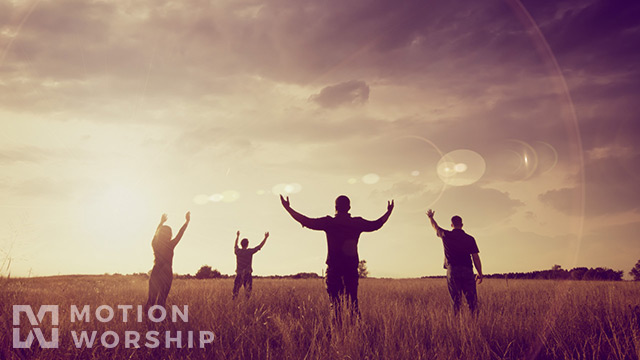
[(343, 233)]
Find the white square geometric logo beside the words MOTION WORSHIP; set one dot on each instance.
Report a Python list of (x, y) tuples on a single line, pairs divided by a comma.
[(35, 321)]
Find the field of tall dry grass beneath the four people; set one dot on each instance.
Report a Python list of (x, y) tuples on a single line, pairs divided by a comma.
[(290, 319)]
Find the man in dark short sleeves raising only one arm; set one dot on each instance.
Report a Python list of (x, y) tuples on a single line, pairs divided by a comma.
[(459, 249)]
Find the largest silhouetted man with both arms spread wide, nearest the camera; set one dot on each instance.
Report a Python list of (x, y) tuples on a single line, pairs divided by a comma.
[(343, 232)]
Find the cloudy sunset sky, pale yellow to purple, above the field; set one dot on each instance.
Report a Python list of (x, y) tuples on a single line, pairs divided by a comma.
[(522, 117)]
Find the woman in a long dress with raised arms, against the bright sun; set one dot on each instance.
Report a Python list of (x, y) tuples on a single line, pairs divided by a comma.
[(162, 272)]
